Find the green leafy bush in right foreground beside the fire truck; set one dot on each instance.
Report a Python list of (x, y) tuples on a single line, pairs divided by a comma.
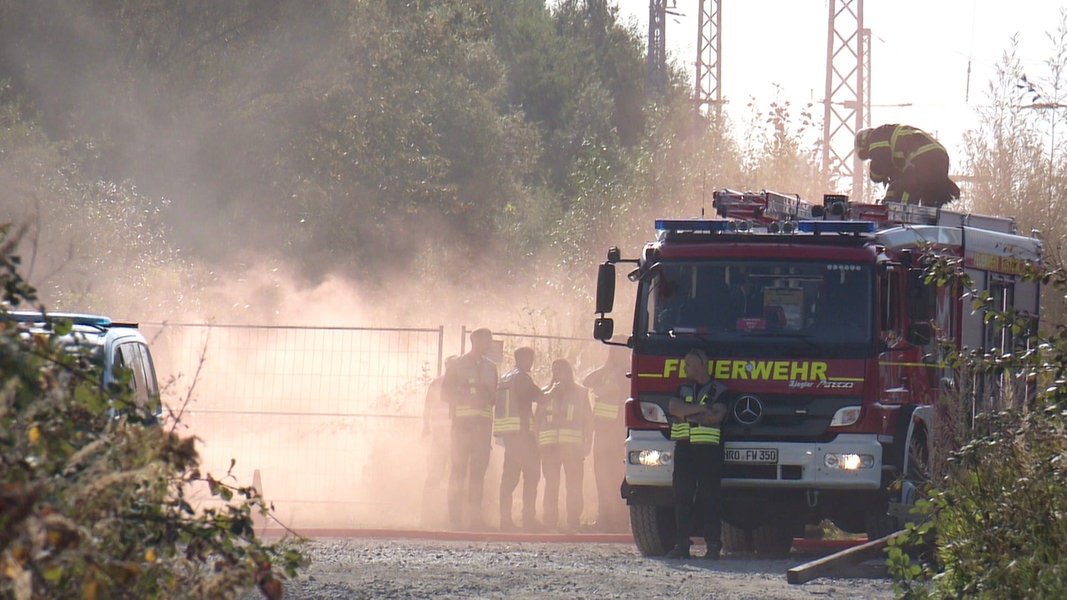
[(998, 519)]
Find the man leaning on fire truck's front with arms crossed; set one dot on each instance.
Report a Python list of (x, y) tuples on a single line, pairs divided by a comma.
[(697, 415)]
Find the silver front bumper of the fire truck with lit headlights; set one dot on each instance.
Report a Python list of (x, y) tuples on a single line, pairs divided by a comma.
[(851, 462)]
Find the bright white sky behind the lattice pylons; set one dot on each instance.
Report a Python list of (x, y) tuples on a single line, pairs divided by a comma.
[(920, 54)]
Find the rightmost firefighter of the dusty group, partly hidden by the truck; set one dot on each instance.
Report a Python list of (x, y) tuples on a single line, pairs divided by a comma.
[(610, 388)]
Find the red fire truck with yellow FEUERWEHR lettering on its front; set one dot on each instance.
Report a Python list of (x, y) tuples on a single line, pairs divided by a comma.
[(819, 321)]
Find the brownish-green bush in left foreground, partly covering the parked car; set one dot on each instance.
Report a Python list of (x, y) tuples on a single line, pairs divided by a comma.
[(98, 507)]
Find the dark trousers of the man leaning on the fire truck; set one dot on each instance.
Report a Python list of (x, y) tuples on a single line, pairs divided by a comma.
[(698, 475)]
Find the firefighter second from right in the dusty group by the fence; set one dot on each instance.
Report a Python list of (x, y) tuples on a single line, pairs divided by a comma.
[(565, 437)]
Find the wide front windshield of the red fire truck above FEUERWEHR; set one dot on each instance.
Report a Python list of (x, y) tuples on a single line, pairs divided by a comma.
[(822, 304)]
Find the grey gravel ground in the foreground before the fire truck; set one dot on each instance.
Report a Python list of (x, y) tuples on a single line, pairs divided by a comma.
[(421, 569)]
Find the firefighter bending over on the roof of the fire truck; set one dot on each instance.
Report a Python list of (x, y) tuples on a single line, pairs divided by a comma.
[(912, 162)]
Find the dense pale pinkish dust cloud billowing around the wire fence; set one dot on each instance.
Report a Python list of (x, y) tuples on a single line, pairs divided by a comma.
[(317, 392)]
